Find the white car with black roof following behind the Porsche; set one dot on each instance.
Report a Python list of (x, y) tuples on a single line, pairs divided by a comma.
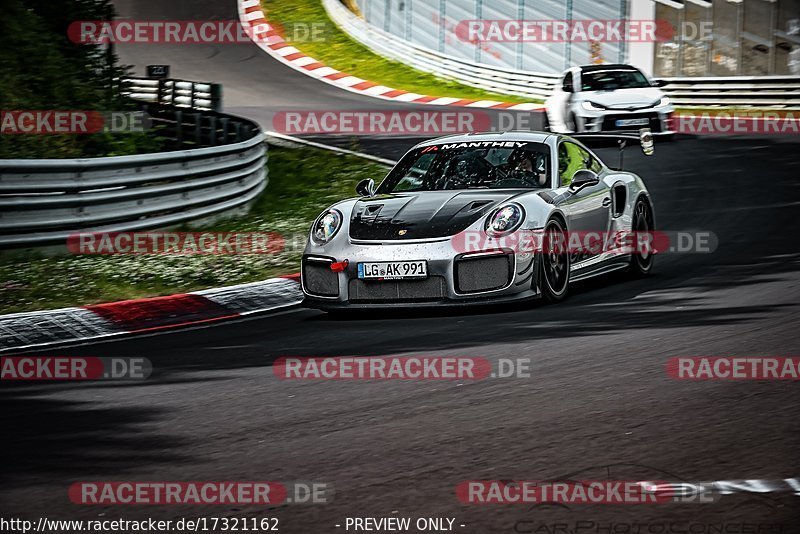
[(602, 98)]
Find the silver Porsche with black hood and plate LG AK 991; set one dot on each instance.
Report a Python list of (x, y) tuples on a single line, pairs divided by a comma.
[(456, 221)]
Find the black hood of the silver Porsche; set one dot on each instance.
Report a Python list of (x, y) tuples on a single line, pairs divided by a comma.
[(423, 215)]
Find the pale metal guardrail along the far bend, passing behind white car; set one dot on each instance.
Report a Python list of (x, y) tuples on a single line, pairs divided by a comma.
[(765, 91)]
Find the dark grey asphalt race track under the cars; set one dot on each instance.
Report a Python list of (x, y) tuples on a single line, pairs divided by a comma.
[(597, 405)]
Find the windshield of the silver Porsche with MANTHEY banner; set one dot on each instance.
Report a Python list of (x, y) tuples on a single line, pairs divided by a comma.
[(472, 165)]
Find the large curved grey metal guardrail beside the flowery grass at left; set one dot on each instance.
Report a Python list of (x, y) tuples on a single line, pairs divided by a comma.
[(45, 201)]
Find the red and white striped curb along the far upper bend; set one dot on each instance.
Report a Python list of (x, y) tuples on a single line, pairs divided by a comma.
[(265, 36)]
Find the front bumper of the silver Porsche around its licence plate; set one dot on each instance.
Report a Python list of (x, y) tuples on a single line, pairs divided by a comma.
[(476, 277)]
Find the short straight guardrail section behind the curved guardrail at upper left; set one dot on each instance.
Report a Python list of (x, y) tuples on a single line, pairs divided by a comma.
[(172, 92)]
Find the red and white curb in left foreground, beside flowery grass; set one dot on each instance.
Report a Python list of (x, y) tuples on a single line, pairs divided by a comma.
[(68, 325)]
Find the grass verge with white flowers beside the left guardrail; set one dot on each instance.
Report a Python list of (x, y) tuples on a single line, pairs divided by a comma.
[(302, 182)]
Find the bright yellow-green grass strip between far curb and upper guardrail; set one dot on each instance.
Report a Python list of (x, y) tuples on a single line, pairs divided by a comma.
[(339, 51)]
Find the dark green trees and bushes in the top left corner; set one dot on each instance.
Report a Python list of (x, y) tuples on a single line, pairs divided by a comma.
[(41, 69)]
